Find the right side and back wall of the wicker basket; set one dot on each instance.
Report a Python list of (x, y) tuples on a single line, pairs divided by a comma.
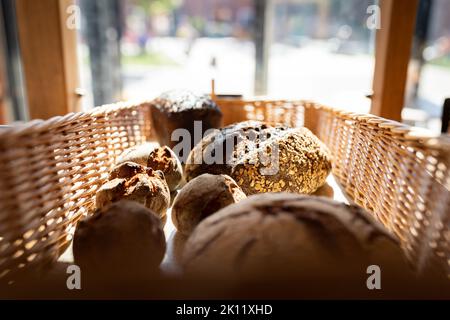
[(402, 178)]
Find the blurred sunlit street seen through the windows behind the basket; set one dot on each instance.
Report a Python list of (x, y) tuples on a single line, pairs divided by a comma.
[(314, 49)]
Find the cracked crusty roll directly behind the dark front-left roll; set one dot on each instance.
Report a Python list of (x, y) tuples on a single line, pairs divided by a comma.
[(149, 189)]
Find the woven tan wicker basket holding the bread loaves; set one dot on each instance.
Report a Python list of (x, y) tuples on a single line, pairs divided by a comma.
[(50, 171)]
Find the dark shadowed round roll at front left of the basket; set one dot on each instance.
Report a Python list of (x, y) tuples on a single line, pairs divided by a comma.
[(123, 240)]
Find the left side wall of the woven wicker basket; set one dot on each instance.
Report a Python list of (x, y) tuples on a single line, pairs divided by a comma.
[(49, 173)]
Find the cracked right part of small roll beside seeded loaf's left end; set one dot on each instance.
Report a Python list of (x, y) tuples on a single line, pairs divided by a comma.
[(165, 160)]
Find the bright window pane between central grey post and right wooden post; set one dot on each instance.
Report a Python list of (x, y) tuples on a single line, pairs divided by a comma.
[(322, 50)]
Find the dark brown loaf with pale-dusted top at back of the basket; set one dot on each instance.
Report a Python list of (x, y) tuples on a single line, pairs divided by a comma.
[(179, 109)]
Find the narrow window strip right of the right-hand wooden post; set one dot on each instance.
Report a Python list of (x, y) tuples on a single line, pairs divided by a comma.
[(429, 72)]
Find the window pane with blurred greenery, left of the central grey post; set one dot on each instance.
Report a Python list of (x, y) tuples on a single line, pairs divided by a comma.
[(183, 44)]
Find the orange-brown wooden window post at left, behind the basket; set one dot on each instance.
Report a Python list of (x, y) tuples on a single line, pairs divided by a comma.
[(49, 57)]
